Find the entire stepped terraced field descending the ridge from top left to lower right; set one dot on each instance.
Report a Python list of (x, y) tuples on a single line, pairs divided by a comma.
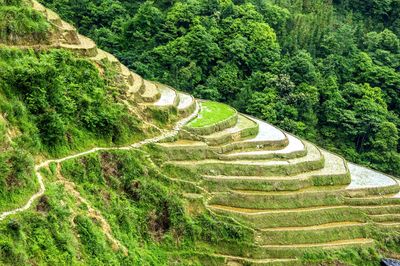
[(294, 195)]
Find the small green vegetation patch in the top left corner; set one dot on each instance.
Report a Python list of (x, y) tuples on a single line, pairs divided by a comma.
[(21, 25)]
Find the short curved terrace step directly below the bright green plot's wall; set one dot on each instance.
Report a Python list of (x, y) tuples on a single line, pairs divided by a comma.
[(243, 128)]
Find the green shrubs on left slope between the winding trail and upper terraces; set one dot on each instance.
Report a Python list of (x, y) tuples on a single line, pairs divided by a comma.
[(51, 104)]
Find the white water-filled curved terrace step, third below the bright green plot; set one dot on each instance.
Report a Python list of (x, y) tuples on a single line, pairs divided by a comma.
[(295, 148)]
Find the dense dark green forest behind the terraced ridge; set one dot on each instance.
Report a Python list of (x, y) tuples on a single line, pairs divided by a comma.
[(325, 70)]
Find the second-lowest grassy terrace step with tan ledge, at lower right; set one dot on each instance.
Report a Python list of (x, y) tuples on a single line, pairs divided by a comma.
[(311, 234)]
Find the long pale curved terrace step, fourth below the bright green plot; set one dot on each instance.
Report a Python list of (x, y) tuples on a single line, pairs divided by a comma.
[(313, 161)]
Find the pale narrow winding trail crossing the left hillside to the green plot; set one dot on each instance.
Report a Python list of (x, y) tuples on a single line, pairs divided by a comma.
[(42, 187)]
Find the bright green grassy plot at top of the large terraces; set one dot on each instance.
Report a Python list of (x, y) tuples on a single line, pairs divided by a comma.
[(211, 113)]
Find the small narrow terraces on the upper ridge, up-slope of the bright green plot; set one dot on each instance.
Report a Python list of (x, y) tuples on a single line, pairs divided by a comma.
[(138, 90)]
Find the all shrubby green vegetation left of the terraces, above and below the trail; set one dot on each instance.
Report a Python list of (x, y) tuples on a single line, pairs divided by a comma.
[(54, 103)]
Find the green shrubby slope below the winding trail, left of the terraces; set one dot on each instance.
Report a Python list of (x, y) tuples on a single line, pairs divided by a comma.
[(144, 208)]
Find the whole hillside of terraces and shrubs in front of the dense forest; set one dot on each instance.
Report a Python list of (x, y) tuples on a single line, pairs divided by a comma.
[(103, 167)]
